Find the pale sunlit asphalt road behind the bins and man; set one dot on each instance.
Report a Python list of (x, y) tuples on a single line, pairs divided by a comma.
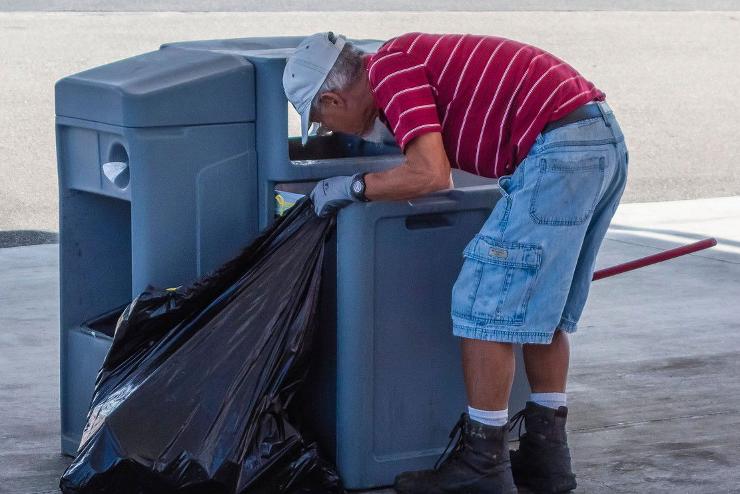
[(672, 78)]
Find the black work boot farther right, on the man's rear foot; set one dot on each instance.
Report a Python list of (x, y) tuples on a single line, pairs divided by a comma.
[(542, 463)]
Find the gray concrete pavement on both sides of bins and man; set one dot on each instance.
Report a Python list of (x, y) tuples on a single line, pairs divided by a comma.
[(653, 393)]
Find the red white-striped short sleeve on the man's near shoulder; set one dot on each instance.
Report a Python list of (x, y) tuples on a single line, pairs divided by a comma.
[(402, 90)]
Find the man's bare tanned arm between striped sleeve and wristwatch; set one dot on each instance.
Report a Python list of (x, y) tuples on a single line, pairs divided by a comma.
[(426, 169)]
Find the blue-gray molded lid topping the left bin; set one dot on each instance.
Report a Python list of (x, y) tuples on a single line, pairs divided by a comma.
[(168, 87)]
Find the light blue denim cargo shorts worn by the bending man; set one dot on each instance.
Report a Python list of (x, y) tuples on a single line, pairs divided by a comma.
[(528, 272)]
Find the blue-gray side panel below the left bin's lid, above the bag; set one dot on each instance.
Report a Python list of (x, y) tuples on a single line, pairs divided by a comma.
[(194, 199)]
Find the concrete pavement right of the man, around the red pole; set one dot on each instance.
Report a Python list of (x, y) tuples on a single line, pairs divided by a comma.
[(656, 356)]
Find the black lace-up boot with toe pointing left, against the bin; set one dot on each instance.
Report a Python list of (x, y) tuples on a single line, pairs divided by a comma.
[(478, 464)]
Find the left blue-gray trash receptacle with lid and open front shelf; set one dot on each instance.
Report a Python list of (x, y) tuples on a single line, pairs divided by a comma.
[(157, 185)]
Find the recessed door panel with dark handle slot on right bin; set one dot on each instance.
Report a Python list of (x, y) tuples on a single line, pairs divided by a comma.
[(413, 279)]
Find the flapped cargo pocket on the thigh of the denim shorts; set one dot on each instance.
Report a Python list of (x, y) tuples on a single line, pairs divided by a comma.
[(496, 281)]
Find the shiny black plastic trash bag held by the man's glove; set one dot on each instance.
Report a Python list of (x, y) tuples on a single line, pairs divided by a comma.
[(192, 395)]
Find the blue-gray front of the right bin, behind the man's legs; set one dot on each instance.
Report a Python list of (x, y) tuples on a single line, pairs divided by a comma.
[(396, 357)]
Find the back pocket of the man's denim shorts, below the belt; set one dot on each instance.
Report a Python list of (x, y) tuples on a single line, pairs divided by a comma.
[(566, 192)]
